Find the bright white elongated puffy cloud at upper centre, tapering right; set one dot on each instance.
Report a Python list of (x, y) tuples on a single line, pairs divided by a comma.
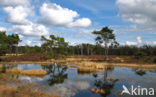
[(53, 14)]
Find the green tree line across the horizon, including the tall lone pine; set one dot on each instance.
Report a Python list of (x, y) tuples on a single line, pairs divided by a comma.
[(54, 46)]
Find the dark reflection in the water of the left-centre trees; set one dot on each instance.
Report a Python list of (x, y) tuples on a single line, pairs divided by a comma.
[(57, 73)]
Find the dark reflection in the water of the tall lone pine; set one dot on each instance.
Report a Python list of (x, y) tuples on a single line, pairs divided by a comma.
[(105, 86)]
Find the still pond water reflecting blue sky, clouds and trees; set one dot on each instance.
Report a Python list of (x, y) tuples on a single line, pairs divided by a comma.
[(68, 82)]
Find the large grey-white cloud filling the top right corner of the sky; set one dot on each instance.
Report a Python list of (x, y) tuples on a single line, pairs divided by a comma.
[(138, 11)]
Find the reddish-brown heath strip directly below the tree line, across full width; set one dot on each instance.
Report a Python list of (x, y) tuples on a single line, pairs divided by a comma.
[(42, 58)]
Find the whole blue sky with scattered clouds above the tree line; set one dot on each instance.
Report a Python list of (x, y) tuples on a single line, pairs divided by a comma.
[(133, 21)]
